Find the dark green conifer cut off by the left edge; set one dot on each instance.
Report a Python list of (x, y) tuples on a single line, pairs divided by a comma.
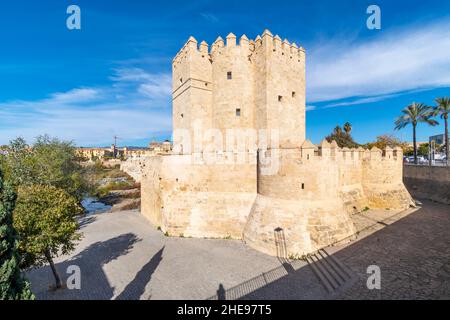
[(12, 284)]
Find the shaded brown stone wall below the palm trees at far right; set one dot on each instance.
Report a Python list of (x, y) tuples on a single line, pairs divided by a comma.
[(428, 182)]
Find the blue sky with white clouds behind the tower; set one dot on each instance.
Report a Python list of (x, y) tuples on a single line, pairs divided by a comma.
[(112, 77)]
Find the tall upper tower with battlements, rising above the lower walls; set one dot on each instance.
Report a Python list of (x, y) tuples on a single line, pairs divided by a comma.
[(254, 84)]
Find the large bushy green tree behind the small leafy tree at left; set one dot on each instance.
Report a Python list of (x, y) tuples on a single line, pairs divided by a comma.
[(48, 162)]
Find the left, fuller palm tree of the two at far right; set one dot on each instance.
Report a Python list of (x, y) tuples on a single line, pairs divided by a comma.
[(414, 114)]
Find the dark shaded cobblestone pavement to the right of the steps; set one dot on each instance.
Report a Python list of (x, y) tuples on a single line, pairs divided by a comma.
[(413, 254)]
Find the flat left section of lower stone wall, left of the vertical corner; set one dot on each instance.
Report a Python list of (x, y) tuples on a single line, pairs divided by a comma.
[(187, 198)]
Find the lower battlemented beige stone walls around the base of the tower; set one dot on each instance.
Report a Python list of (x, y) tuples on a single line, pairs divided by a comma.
[(309, 197)]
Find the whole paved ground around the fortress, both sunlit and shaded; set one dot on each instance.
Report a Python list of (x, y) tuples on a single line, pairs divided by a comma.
[(123, 257)]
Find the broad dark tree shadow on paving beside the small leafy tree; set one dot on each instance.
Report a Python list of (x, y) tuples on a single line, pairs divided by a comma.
[(94, 283)]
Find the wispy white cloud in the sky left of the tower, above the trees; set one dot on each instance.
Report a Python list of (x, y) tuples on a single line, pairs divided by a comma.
[(135, 107)]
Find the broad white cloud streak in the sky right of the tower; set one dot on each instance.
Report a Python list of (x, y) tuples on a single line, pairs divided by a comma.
[(396, 61)]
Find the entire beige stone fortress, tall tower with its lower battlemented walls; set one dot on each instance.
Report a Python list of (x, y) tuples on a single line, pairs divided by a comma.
[(304, 195)]
